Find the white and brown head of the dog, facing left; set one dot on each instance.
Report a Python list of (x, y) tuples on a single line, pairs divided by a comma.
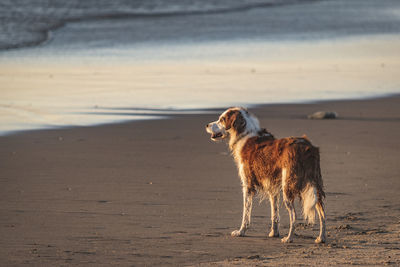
[(233, 122)]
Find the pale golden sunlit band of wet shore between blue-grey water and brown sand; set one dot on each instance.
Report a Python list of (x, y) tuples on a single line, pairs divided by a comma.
[(64, 91)]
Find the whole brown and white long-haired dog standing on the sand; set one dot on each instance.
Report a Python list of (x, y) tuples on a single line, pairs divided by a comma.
[(269, 166)]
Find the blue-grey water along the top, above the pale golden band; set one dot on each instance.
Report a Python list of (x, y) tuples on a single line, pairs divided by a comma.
[(103, 23)]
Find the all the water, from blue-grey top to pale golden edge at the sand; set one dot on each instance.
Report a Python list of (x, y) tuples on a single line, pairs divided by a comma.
[(66, 63)]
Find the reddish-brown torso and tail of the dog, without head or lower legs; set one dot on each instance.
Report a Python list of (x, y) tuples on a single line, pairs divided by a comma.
[(289, 164)]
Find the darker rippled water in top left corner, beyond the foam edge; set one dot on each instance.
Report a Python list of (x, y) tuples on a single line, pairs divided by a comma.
[(28, 22)]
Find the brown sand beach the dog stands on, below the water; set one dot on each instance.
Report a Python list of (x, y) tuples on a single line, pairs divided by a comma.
[(161, 193)]
